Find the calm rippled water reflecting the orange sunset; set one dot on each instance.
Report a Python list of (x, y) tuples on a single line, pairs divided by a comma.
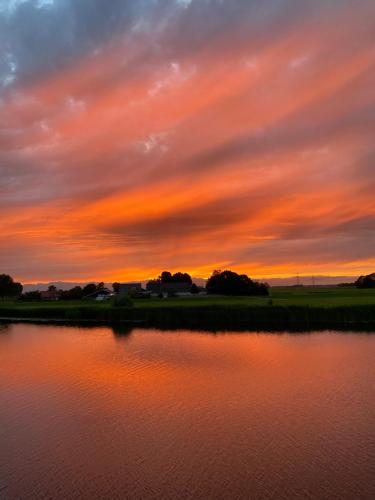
[(90, 413)]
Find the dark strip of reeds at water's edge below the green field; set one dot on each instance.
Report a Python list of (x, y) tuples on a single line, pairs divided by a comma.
[(210, 318)]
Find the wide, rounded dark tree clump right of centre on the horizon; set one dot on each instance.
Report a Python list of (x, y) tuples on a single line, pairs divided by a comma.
[(230, 283)]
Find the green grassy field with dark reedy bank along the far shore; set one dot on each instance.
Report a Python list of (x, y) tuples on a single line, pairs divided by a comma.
[(286, 308)]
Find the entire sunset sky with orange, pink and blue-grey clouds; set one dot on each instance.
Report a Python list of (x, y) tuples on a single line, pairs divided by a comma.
[(143, 135)]
